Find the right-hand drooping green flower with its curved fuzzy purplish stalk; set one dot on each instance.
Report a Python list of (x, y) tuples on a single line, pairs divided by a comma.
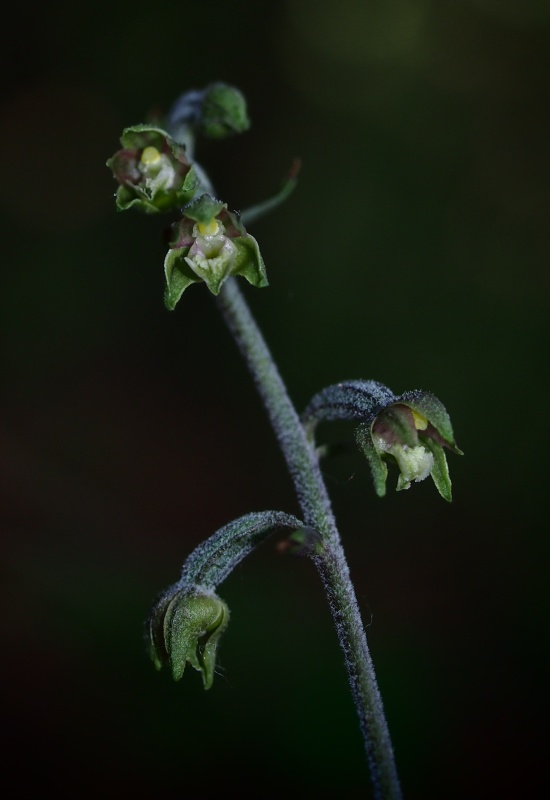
[(410, 430)]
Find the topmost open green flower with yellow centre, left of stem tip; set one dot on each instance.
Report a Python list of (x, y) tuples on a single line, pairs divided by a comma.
[(153, 171)]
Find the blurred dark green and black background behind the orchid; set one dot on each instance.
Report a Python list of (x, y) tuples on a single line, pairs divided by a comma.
[(415, 251)]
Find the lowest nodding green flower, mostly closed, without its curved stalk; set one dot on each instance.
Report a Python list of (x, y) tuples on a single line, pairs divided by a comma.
[(185, 627)]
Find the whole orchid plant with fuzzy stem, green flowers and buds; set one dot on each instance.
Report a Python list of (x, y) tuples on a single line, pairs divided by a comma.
[(156, 172)]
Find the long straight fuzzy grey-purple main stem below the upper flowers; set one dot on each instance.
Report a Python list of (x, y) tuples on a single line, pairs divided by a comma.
[(329, 559)]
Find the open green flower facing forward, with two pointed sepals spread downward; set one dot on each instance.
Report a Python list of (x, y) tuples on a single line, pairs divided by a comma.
[(210, 244)]
